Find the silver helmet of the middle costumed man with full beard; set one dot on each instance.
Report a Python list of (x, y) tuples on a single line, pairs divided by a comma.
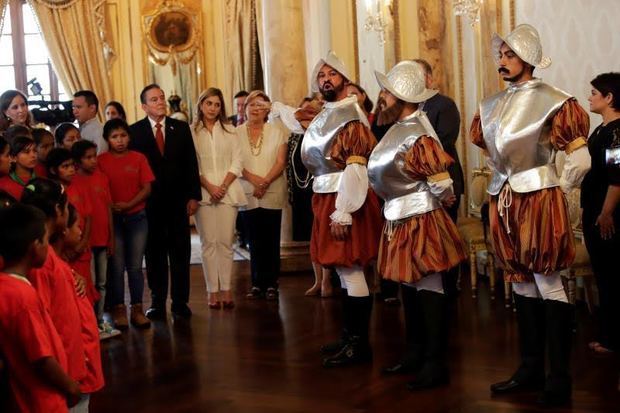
[(406, 81)]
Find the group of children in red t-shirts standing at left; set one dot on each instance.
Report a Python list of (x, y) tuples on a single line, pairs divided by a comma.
[(64, 210)]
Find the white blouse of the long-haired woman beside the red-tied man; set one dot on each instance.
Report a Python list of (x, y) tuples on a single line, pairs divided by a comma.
[(219, 153)]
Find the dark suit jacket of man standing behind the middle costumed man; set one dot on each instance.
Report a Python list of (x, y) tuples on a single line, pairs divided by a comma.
[(446, 120)]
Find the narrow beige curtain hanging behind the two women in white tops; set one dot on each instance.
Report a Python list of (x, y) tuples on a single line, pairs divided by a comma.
[(242, 63)]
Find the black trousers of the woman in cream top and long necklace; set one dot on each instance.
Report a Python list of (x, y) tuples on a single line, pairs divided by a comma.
[(264, 233)]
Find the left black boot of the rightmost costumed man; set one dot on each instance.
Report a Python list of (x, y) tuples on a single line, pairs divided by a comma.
[(531, 373)]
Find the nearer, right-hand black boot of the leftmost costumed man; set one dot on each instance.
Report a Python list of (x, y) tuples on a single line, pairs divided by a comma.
[(357, 350)]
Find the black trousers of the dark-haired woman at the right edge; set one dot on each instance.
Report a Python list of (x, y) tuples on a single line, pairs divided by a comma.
[(603, 258)]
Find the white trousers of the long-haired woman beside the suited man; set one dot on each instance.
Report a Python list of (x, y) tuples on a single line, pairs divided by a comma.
[(216, 227)]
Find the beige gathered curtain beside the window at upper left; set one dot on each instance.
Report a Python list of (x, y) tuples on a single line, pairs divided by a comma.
[(72, 34)]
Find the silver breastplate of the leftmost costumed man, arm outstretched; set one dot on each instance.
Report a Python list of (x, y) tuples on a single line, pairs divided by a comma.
[(319, 138)]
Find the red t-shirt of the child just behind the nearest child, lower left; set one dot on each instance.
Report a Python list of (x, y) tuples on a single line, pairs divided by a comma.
[(55, 285)]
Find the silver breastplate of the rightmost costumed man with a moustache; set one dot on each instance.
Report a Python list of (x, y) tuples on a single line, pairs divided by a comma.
[(516, 125)]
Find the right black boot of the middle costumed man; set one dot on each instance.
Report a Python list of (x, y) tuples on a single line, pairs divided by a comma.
[(434, 371)]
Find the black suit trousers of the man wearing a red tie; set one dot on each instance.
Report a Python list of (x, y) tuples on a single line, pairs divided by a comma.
[(168, 242)]
